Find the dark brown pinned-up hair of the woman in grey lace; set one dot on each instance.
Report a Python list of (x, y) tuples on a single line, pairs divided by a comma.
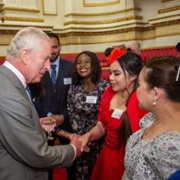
[(163, 72)]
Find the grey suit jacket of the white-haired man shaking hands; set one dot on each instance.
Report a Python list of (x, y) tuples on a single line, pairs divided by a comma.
[(24, 153)]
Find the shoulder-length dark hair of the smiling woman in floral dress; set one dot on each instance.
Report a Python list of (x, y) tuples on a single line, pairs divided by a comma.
[(95, 65)]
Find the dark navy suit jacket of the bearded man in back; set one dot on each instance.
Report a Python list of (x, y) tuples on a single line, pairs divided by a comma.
[(55, 100)]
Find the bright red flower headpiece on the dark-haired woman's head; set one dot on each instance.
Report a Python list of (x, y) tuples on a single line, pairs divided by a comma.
[(115, 54)]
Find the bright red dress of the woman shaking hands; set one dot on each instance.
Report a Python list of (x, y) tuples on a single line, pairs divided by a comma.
[(110, 163)]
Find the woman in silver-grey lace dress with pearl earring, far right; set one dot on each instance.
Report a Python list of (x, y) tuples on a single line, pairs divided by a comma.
[(153, 152)]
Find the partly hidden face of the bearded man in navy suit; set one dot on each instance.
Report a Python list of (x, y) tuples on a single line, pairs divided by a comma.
[(56, 48)]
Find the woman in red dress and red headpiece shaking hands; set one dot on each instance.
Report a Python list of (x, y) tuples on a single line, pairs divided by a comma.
[(119, 114)]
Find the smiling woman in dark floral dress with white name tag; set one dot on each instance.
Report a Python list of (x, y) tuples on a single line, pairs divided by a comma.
[(84, 97)]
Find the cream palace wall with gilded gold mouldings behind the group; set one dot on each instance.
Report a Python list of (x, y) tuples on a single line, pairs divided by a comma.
[(94, 25)]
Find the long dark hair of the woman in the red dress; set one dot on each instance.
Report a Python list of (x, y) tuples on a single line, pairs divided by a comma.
[(132, 63)]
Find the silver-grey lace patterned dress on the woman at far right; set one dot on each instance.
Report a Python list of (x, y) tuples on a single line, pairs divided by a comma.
[(154, 159)]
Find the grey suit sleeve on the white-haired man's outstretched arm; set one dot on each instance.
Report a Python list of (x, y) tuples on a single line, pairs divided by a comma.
[(23, 138)]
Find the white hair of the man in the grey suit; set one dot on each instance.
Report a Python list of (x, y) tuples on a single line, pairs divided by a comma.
[(30, 38)]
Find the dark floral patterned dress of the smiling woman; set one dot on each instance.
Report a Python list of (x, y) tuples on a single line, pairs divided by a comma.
[(83, 116)]
